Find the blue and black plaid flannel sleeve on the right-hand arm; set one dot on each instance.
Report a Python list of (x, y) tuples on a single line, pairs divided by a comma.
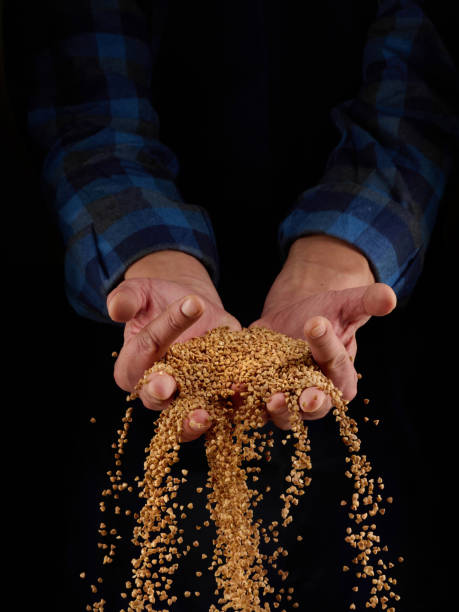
[(385, 179)]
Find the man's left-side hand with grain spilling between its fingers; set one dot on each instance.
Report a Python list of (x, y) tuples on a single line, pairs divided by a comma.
[(157, 313)]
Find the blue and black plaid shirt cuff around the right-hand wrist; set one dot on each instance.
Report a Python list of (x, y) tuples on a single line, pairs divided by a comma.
[(370, 220)]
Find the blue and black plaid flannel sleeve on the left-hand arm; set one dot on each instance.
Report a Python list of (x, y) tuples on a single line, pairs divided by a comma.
[(105, 172)]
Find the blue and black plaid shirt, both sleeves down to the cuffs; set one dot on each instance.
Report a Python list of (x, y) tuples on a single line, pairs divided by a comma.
[(112, 182)]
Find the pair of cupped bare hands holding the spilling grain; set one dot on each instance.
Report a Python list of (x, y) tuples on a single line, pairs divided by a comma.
[(323, 294)]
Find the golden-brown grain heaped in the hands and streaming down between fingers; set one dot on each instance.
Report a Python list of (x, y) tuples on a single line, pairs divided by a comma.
[(205, 369)]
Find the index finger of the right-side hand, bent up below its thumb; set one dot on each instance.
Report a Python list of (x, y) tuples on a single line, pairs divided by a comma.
[(331, 355)]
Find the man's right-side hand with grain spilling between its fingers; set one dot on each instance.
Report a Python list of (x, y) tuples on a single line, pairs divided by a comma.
[(324, 293)]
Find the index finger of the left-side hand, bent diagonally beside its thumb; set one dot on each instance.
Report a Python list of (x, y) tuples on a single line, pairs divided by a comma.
[(152, 342)]
